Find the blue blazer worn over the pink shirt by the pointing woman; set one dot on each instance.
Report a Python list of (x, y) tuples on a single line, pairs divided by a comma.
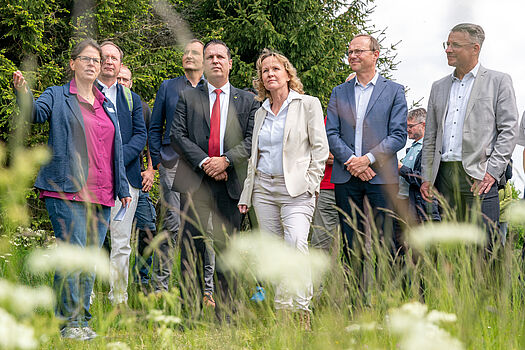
[(67, 170)]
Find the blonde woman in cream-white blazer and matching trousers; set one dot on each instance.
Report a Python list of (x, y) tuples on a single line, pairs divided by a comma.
[(289, 152)]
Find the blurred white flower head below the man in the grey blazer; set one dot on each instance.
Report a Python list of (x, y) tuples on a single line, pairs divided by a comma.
[(434, 233)]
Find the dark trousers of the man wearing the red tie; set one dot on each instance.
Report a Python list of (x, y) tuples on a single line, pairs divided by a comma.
[(211, 197)]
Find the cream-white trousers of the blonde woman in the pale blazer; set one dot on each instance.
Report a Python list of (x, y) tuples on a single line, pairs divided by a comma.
[(287, 217)]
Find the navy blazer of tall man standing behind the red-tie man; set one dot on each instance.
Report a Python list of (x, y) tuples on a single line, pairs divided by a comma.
[(162, 115)]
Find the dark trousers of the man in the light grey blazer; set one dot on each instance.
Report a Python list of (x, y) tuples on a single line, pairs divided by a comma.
[(454, 184)]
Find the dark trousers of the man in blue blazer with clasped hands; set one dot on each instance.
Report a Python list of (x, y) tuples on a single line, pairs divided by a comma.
[(350, 197)]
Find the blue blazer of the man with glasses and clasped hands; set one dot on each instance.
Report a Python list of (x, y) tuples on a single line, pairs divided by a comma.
[(384, 129)]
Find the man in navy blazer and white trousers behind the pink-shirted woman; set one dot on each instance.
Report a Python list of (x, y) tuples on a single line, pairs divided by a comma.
[(133, 132)]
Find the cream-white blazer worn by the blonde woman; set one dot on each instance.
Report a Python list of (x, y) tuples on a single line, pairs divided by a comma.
[(305, 148)]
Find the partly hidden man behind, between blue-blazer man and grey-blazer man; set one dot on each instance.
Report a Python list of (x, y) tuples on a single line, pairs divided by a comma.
[(410, 172)]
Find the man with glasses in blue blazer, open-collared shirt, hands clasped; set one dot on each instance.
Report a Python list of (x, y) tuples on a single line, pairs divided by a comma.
[(366, 125)]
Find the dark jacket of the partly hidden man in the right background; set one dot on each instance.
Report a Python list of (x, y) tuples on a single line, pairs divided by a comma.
[(417, 205)]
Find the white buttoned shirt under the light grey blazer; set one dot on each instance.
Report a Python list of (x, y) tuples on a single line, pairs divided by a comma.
[(457, 108)]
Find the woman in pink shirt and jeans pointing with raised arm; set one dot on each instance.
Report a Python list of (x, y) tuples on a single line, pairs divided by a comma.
[(85, 175)]
